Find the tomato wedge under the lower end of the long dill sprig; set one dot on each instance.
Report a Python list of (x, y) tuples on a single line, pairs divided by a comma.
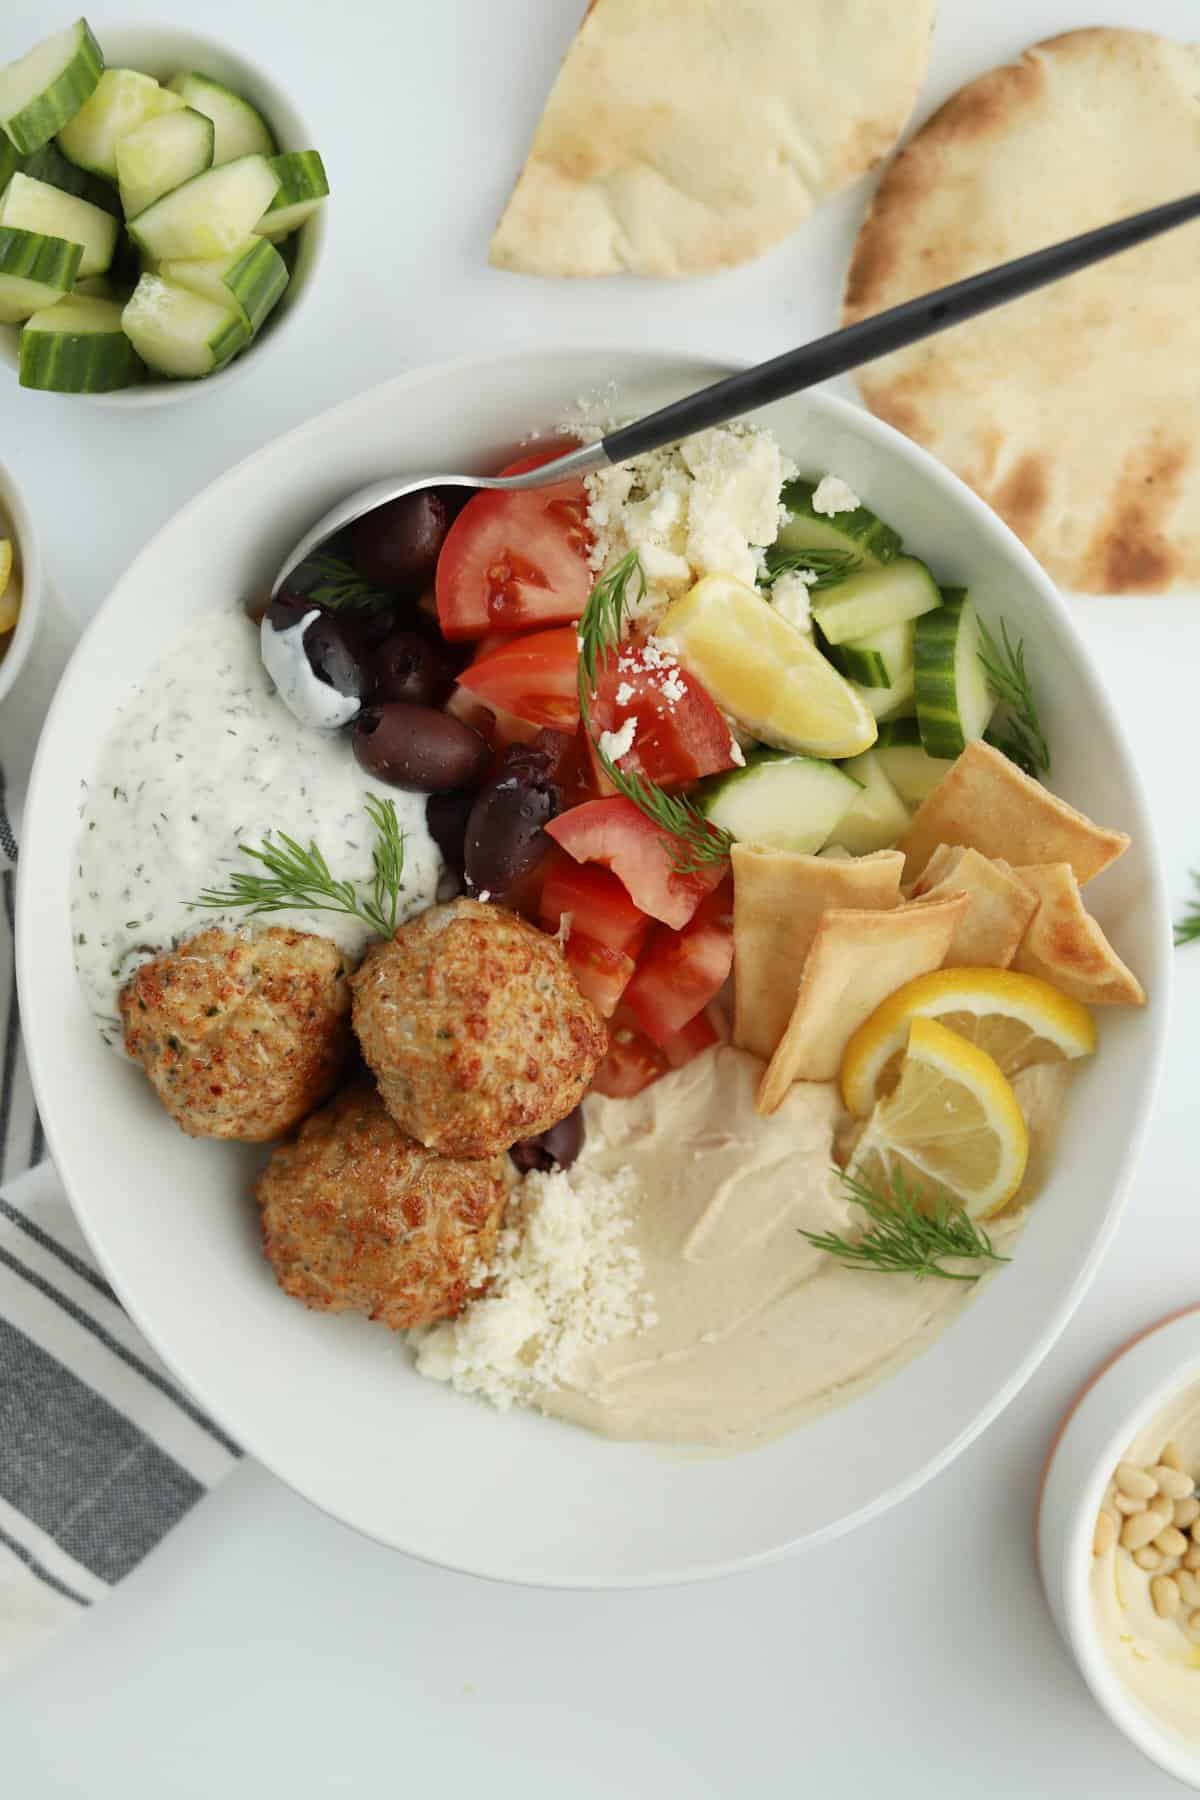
[(643, 858)]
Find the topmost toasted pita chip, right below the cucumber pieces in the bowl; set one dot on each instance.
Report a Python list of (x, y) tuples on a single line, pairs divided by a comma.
[(989, 804)]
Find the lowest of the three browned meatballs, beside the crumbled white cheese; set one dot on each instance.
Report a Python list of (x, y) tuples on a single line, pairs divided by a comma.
[(361, 1219)]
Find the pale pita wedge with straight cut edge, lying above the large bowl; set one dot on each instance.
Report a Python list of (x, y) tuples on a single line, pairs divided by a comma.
[(686, 138)]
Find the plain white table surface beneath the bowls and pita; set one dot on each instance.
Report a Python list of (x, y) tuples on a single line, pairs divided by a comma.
[(267, 1648)]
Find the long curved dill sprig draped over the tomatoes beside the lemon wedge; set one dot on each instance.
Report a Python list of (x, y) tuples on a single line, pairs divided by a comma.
[(699, 843)]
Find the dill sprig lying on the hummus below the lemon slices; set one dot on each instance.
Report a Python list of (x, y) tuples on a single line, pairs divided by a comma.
[(908, 1236)]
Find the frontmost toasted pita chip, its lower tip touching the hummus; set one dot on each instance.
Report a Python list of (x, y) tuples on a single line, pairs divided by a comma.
[(857, 960)]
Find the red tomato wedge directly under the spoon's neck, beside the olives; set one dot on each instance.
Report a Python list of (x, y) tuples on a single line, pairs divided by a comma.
[(517, 561)]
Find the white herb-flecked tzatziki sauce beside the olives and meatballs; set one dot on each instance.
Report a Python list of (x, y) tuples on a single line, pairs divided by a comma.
[(206, 757)]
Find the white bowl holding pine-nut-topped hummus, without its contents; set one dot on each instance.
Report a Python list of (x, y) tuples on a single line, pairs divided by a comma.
[(1104, 1421)]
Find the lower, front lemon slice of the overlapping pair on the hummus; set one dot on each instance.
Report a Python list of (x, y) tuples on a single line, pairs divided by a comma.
[(953, 1124)]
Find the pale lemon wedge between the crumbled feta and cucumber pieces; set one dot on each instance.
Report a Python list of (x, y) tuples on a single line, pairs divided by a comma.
[(764, 672)]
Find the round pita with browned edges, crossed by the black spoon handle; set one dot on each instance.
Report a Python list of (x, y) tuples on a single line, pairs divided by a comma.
[(1070, 411)]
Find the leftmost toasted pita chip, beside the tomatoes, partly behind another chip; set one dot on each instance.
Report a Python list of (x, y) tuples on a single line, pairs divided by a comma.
[(778, 904)]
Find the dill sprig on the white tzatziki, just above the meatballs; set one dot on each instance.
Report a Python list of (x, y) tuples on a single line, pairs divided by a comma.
[(300, 877)]
